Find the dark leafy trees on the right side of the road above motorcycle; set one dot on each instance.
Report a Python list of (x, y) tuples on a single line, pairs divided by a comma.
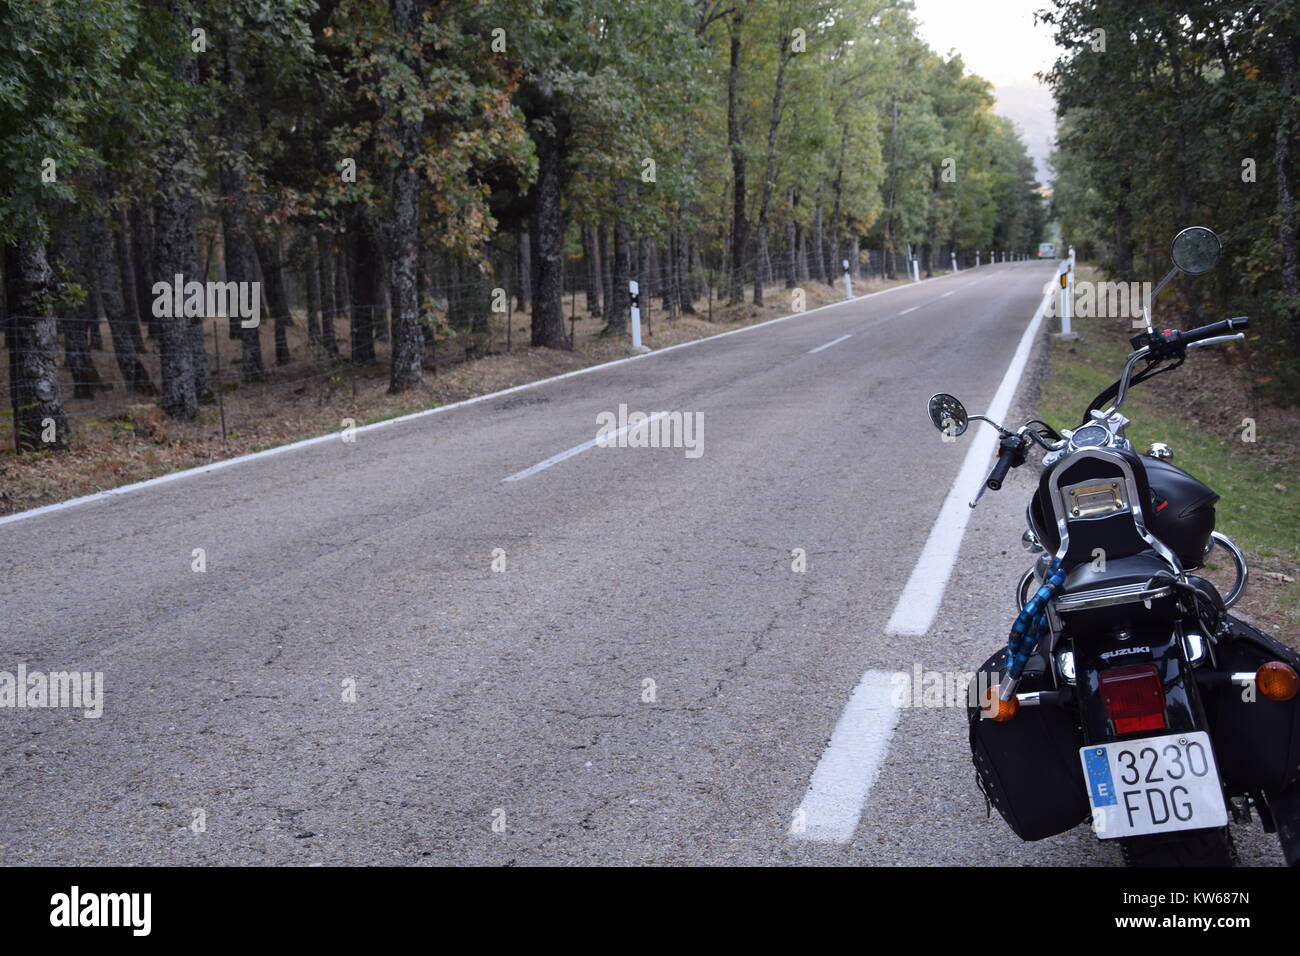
[(1177, 114)]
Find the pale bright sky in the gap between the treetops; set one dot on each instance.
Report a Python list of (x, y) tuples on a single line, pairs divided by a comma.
[(1000, 42)]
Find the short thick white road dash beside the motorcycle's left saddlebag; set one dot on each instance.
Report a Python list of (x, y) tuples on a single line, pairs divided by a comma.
[(839, 789)]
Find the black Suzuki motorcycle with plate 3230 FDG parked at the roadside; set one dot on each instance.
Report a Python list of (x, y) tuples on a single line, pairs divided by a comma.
[(1128, 695)]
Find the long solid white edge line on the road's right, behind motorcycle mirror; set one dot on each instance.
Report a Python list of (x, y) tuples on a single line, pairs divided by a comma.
[(918, 604)]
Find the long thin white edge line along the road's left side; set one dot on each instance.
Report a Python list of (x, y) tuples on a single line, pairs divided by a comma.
[(335, 436)]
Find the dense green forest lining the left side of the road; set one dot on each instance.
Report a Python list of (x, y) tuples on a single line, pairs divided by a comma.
[(396, 175)]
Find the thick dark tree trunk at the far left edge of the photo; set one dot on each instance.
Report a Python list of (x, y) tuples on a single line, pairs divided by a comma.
[(33, 340)]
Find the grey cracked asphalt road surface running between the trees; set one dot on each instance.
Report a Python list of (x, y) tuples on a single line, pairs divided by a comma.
[(648, 682)]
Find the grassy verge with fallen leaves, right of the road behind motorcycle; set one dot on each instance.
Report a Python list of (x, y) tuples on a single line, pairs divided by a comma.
[(1259, 507)]
